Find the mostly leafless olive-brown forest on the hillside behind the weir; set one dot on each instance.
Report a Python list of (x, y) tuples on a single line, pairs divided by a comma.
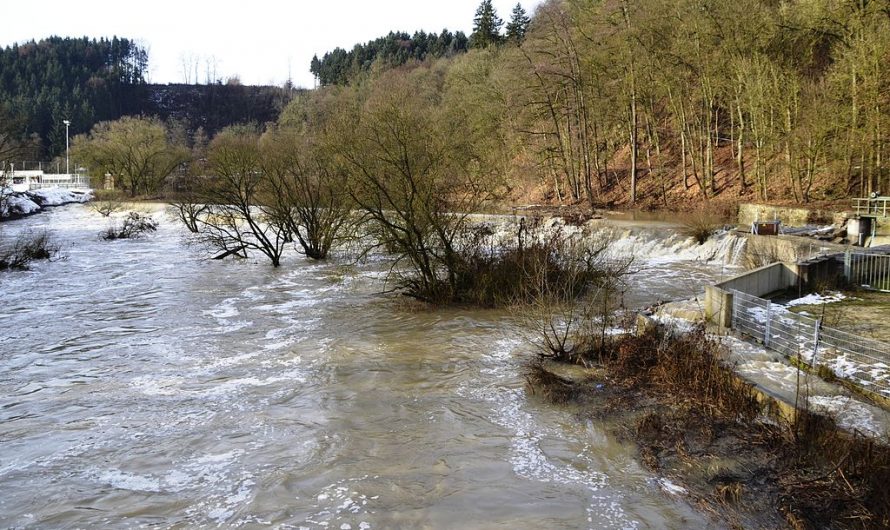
[(652, 103)]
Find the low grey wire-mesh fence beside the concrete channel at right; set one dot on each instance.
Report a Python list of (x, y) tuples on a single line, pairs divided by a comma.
[(859, 360)]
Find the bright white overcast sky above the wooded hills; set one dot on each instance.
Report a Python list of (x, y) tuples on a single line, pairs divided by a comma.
[(257, 40)]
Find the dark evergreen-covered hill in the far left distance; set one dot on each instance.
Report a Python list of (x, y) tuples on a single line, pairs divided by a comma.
[(88, 81)]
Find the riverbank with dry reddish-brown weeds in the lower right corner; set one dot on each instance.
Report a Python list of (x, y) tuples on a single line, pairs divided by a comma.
[(716, 441)]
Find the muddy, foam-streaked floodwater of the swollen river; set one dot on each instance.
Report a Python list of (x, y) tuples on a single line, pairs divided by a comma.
[(142, 385)]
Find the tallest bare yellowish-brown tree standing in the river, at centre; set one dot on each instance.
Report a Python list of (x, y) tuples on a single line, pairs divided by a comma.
[(414, 176)]
